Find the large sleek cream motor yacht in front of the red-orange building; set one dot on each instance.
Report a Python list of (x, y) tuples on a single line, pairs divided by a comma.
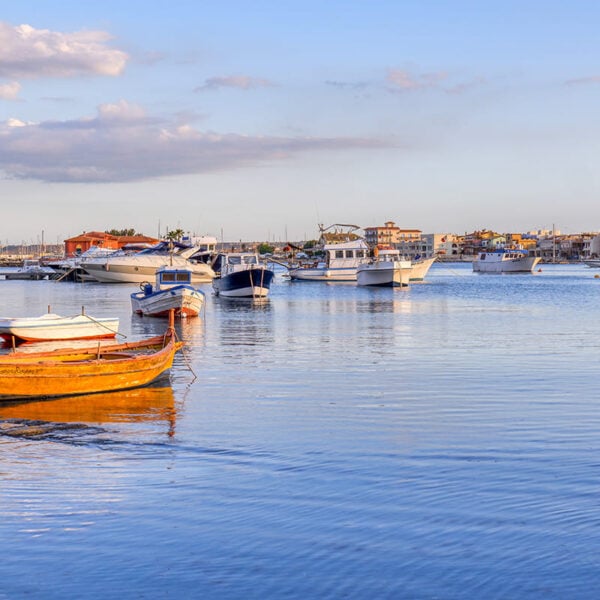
[(139, 267)]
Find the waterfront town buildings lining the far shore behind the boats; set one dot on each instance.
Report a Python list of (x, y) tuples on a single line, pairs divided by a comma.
[(549, 245)]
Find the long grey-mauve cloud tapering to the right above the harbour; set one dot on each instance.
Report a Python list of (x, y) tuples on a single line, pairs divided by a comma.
[(121, 143)]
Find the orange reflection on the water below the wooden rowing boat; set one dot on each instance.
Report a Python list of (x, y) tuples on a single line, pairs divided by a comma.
[(128, 406)]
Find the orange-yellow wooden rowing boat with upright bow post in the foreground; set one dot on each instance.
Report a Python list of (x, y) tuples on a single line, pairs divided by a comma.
[(73, 371)]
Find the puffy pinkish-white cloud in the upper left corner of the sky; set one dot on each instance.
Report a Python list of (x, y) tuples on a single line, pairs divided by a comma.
[(26, 52)]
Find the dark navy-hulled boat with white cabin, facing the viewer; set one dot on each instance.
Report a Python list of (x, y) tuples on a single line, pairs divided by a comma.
[(241, 275)]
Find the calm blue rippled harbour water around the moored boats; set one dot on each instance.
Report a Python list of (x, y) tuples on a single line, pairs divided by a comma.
[(338, 442)]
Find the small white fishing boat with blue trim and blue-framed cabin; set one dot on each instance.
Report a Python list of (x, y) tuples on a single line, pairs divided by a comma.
[(172, 290)]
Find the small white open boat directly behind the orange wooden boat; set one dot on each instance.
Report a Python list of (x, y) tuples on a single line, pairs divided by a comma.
[(50, 327)]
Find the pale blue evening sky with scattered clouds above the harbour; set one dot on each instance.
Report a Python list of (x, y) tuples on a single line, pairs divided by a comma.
[(259, 120)]
